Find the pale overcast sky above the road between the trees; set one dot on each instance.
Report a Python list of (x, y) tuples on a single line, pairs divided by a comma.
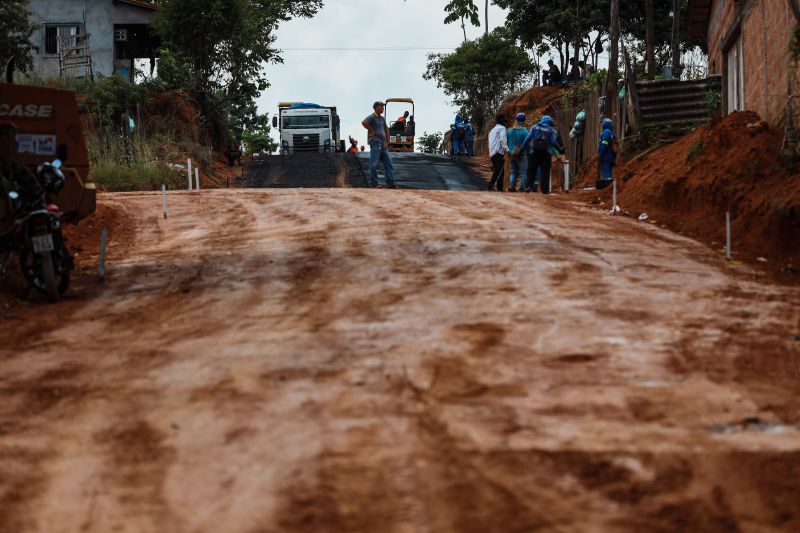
[(353, 79)]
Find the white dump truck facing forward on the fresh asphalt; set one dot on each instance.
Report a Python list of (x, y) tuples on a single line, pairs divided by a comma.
[(307, 127)]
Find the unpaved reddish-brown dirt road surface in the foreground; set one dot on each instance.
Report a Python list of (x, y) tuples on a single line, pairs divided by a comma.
[(372, 360)]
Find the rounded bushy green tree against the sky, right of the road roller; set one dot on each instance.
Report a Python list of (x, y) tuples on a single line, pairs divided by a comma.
[(478, 73)]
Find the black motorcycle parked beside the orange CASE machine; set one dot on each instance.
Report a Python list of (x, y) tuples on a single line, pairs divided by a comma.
[(37, 238)]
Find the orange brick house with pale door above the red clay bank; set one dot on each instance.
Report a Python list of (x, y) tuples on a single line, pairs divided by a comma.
[(748, 45)]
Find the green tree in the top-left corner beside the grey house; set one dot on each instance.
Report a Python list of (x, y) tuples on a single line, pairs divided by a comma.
[(16, 29)]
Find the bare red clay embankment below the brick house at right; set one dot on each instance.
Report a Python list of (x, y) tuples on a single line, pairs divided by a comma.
[(732, 165)]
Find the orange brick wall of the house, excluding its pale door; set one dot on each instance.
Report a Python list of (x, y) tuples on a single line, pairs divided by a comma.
[(766, 30)]
